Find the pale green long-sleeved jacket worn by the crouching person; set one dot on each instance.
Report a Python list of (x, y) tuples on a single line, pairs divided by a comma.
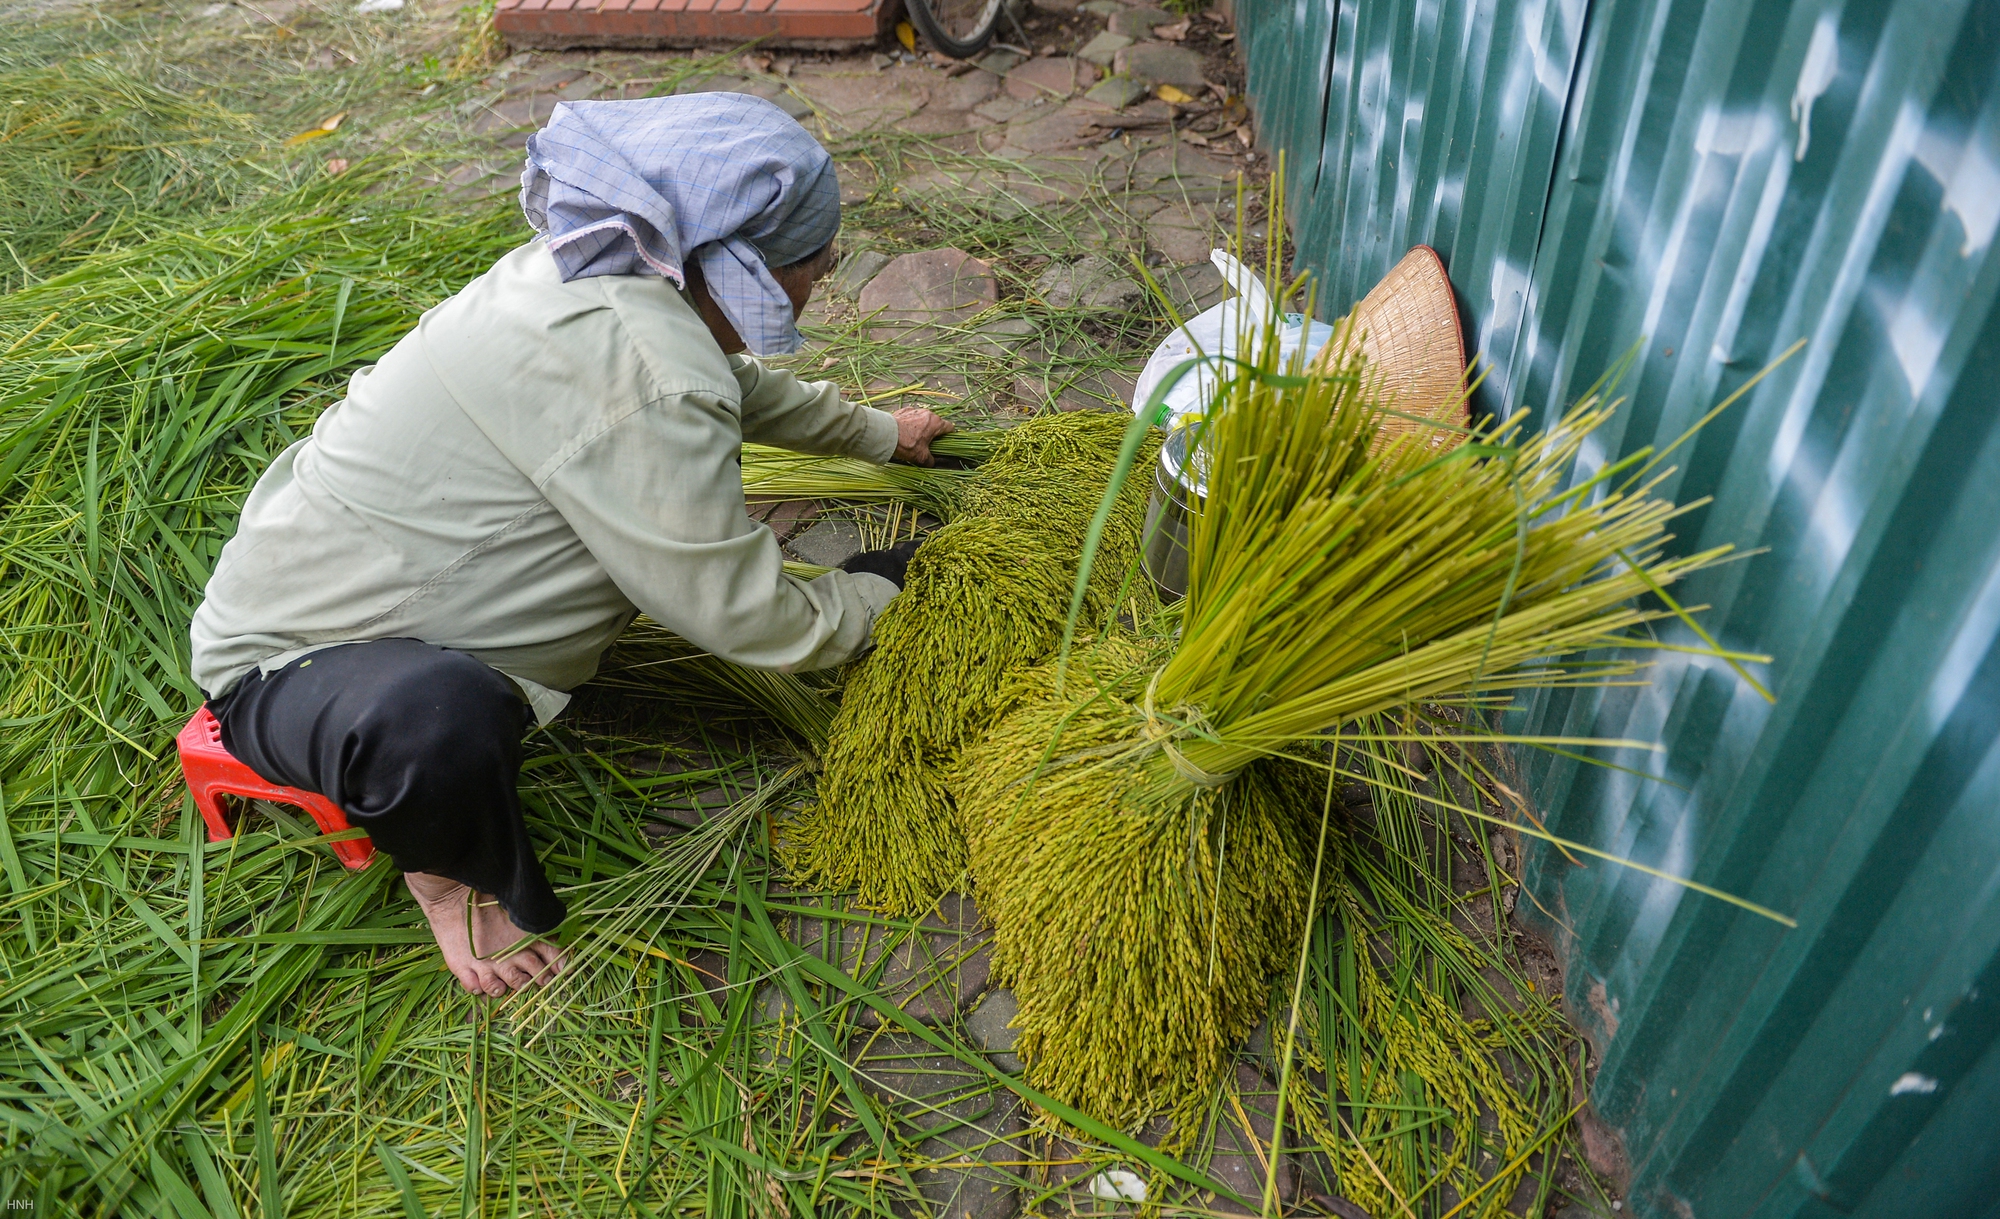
[(527, 471)]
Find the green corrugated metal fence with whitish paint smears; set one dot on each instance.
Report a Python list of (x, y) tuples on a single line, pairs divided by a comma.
[(1719, 181)]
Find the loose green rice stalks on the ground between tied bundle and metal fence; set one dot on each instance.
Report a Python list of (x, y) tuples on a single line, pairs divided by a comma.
[(1389, 1048)]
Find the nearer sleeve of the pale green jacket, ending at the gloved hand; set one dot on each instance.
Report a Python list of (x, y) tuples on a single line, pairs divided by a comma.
[(659, 501)]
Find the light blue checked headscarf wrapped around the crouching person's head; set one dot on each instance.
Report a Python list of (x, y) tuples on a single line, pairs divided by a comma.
[(637, 189)]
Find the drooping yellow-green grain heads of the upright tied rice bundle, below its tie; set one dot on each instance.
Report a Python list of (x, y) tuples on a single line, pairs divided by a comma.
[(1137, 916)]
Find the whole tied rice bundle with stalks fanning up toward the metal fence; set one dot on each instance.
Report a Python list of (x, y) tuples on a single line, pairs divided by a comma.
[(1125, 814)]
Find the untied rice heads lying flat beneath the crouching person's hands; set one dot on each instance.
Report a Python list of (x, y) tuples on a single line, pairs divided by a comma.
[(985, 597)]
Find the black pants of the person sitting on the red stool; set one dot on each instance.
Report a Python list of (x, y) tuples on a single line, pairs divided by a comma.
[(417, 744)]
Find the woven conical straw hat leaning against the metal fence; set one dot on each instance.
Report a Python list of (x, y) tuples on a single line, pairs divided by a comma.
[(1415, 349)]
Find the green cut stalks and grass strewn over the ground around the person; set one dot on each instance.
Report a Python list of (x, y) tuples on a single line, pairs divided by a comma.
[(243, 1028)]
